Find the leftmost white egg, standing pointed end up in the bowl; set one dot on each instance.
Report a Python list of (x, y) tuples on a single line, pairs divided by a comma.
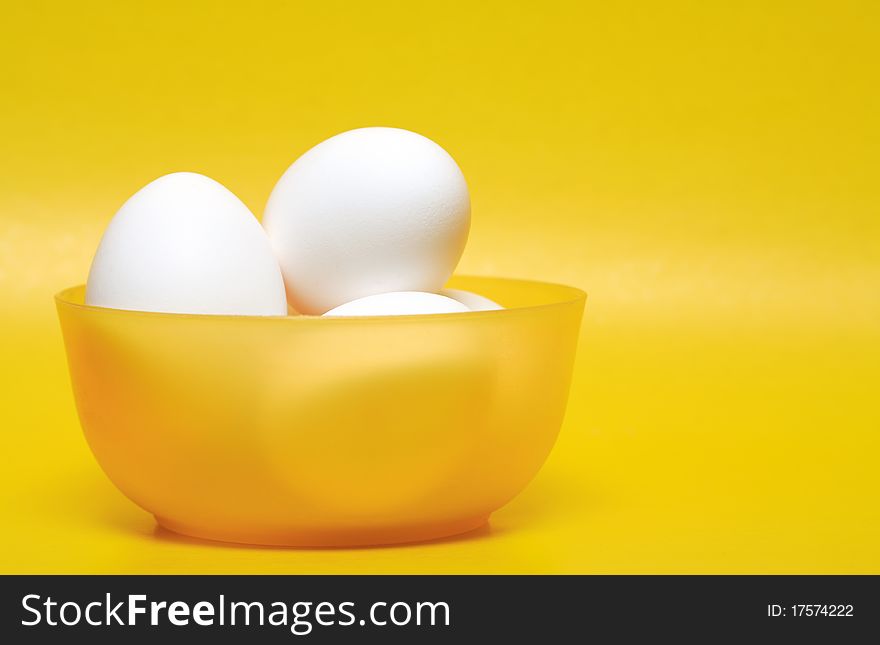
[(185, 244)]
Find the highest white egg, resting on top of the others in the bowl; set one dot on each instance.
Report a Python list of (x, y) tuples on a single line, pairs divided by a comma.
[(368, 211)]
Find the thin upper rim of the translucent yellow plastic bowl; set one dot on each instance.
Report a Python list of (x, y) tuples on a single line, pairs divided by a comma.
[(64, 298)]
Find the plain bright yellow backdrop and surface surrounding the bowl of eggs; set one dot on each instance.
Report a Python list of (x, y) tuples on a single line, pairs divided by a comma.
[(706, 171)]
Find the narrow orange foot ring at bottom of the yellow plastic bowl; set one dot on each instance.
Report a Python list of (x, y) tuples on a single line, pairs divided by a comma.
[(316, 538)]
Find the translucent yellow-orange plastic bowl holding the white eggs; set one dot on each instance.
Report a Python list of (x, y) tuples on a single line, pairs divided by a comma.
[(312, 431)]
